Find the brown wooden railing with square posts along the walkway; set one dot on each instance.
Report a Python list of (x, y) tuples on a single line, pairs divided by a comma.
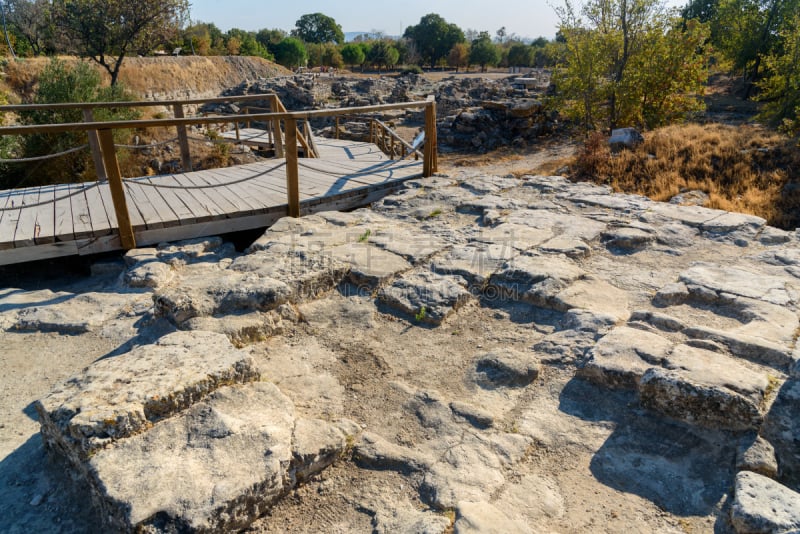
[(105, 156)]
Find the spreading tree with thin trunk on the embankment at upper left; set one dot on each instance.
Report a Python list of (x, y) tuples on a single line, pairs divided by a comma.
[(106, 31)]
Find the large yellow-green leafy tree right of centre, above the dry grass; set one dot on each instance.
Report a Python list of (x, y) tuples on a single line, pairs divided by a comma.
[(629, 63)]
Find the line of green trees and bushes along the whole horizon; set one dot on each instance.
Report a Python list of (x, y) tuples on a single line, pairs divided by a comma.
[(615, 62)]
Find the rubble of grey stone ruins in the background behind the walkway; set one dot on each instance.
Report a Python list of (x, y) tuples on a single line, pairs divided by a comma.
[(473, 114)]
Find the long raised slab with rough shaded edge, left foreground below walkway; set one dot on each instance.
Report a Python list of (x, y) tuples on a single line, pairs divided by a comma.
[(122, 396)]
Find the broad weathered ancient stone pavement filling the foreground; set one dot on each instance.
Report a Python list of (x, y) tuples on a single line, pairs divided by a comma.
[(677, 323)]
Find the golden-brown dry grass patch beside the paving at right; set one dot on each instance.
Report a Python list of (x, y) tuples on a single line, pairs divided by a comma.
[(744, 169)]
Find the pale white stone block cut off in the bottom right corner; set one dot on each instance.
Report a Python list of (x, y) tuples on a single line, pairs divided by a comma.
[(762, 505)]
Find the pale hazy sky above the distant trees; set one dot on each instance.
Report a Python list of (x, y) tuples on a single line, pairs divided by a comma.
[(526, 18)]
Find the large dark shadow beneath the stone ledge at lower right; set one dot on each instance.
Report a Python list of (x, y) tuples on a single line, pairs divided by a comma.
[(683, 470)]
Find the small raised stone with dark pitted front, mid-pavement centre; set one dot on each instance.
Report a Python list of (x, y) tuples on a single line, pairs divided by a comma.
[(427, 296)]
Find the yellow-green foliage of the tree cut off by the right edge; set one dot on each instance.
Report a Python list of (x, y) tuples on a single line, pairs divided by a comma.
[(780, 89)]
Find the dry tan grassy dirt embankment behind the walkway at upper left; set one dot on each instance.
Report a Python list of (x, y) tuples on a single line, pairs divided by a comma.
[(157, 78)]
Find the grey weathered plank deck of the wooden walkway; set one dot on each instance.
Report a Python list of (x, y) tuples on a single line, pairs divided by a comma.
[(75, 219)]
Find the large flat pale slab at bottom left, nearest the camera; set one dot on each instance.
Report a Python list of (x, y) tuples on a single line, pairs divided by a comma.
[(215, 467)]
